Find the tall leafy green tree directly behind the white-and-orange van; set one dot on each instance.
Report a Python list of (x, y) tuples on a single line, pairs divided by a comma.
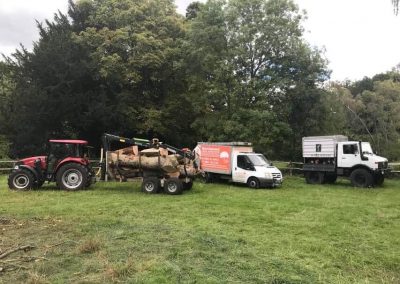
[(247, 61)]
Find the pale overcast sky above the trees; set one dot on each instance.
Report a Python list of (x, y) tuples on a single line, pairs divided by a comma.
[(361, 37)]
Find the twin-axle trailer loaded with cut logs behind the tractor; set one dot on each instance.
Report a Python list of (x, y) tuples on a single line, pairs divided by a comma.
[(159, 165)]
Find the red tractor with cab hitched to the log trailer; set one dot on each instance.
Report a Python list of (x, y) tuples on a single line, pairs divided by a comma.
[(66, 163)]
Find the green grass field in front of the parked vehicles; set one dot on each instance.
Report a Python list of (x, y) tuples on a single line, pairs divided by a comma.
[(216, 233)]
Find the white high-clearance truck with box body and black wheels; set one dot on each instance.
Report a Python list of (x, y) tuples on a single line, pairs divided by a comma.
[(327, 157)]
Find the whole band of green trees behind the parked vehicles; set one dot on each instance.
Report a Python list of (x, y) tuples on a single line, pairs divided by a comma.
[(228, 71)]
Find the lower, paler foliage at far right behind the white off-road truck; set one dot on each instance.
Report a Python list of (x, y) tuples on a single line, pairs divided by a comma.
[(372, 108)]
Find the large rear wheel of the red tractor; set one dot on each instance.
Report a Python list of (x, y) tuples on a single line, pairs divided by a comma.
[(72, 177)]
